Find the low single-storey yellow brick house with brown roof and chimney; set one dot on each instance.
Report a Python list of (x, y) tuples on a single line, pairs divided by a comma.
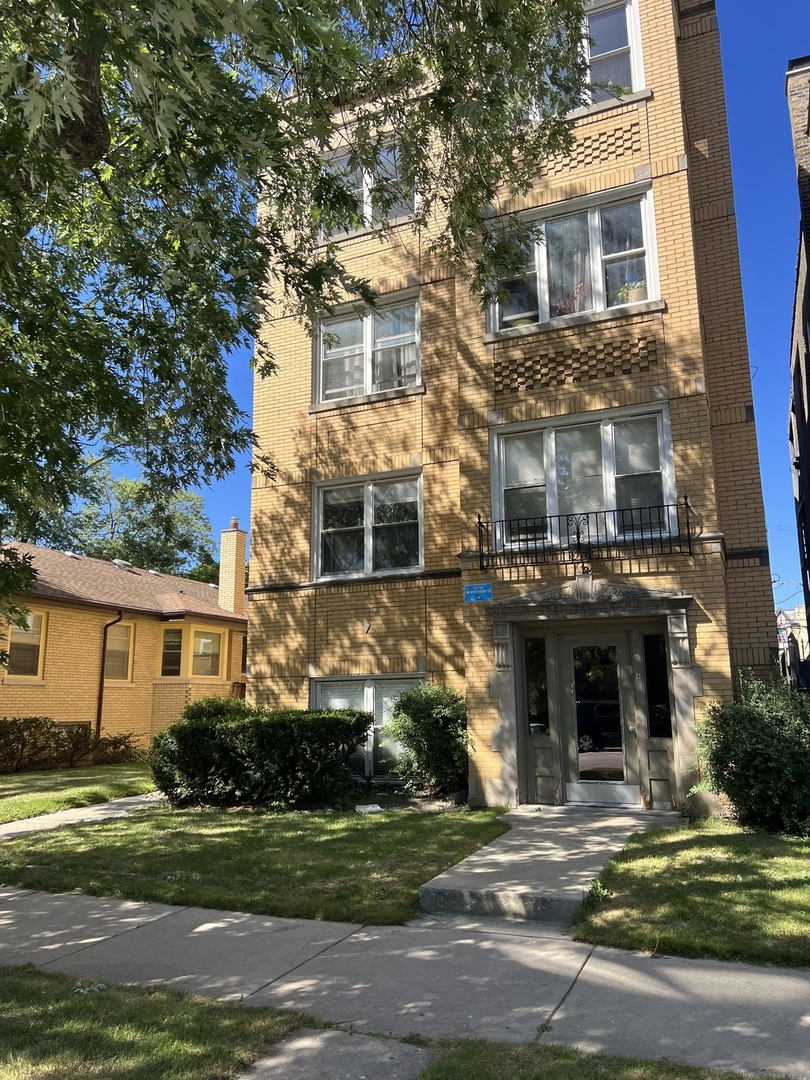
[(124, 650)]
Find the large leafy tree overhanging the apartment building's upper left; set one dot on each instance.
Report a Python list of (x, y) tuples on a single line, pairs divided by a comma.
[(139, 143)]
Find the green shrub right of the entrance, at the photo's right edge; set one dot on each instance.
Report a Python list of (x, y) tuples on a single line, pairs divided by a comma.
[(757, 752)]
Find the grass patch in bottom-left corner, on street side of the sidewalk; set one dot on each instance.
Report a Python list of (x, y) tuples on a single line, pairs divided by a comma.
[(123, 1033)]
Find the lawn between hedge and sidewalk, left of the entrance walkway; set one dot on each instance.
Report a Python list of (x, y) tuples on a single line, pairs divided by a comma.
[(314, 866)]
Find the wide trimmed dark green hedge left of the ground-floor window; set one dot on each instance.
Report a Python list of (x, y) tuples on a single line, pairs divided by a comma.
[(255, 757)]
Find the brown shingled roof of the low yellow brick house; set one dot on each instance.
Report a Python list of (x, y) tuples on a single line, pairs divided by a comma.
[(63, 576)]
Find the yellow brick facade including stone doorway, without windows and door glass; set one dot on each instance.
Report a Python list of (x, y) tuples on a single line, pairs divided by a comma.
[(681, 354)]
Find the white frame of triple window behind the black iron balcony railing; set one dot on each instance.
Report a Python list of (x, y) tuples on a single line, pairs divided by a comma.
[(606, 421)]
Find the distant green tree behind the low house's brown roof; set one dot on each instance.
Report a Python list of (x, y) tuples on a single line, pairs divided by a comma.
[(118, 521)]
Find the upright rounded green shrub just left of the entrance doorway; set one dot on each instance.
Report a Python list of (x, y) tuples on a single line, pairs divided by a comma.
[(429, 721)]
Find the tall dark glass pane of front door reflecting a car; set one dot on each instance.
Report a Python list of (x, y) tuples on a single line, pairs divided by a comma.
[(600, 748)]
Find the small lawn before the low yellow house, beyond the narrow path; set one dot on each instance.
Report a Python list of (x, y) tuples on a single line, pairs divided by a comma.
[(32, 794)]
